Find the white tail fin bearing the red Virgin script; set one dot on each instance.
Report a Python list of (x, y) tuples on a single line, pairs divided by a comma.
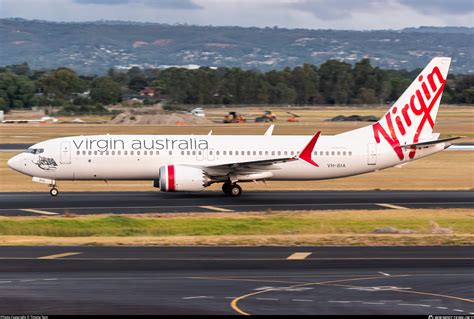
[(412, 116)]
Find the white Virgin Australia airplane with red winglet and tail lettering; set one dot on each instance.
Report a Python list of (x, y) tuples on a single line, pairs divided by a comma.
[(188, 163)]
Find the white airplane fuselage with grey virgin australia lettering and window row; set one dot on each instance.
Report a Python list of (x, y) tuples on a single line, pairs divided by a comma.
[(139, 157)]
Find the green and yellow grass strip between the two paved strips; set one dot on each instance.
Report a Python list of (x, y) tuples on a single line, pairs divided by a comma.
[(269, 224)]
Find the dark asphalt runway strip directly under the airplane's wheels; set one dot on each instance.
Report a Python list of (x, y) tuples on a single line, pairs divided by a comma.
[(82, 203)]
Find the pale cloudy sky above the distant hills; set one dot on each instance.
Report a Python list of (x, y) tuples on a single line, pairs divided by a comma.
[(309, 14)]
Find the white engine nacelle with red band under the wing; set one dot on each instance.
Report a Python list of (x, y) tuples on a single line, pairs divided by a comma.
[(178, 178)]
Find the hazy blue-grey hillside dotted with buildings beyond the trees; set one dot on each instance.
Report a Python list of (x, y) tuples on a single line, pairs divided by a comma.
[(94, 47)]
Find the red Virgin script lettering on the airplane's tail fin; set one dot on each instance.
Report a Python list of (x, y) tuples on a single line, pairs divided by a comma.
[(420, 105)]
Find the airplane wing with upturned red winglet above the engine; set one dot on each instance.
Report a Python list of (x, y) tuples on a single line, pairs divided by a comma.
[(260, 169)]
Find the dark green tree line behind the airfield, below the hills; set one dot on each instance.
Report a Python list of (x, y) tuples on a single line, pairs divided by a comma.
[(332, 83)]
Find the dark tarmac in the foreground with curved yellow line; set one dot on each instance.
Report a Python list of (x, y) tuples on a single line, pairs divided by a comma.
[(237, 280)]
